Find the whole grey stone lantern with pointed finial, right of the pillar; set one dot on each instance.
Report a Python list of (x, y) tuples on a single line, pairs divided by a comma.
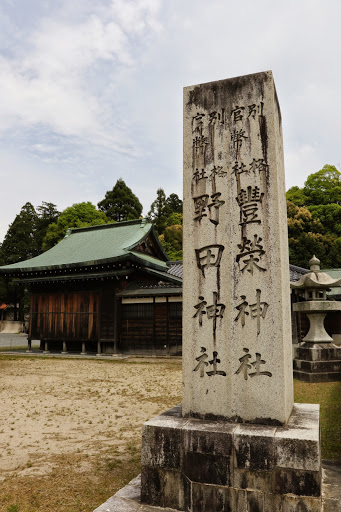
[(317, 359)]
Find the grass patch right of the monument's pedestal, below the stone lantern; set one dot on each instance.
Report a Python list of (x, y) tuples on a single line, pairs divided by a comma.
[(328, 395)]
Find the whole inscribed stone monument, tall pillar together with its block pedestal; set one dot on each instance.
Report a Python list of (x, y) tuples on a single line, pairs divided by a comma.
[(238, 443)]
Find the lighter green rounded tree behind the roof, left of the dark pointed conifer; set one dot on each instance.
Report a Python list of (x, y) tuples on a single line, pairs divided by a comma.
[(79, 215)]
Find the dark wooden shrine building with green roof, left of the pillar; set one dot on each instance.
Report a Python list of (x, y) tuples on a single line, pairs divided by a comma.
[(108, 289)]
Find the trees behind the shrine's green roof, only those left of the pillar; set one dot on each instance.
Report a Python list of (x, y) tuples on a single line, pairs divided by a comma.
[(34, 231)]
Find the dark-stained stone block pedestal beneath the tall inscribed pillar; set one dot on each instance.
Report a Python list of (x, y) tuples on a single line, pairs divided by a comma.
[(205, 465)]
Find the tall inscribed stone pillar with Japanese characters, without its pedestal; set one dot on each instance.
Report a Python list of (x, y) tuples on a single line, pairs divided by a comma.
[(237, 359)]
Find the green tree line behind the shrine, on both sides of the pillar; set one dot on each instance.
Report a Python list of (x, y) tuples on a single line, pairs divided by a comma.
[(314, 223)]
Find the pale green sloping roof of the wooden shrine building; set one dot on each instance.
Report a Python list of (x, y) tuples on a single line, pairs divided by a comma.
[(94, 245)]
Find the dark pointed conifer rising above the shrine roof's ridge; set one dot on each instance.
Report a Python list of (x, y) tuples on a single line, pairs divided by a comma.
[(120, 203)]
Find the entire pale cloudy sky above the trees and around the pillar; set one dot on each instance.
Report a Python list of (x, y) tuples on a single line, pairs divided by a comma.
[(91, 91)]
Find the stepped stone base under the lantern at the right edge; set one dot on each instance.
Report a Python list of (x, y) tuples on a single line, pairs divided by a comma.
[(318, 362)]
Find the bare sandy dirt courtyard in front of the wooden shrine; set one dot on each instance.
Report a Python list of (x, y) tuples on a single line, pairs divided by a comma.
[(70, 430)]
